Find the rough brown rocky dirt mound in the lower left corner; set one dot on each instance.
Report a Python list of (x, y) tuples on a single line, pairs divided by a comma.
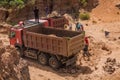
[(12, 67)]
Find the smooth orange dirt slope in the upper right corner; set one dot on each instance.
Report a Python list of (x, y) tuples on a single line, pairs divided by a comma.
[(106, 11)]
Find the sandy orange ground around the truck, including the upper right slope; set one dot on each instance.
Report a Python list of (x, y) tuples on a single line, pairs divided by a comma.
[(100, 48)]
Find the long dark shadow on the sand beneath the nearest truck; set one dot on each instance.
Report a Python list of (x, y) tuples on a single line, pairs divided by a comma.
[(73, 71)]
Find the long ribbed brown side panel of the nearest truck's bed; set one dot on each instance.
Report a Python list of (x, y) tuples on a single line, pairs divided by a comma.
[(46, 43)]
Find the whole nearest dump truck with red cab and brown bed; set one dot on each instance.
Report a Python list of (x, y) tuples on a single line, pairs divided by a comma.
[(50, 46)]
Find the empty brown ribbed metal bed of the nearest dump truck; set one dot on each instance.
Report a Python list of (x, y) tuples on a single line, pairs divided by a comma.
[(53, 41)]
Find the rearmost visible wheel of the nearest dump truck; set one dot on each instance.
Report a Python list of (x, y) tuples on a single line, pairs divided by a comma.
[(54, 63)]
